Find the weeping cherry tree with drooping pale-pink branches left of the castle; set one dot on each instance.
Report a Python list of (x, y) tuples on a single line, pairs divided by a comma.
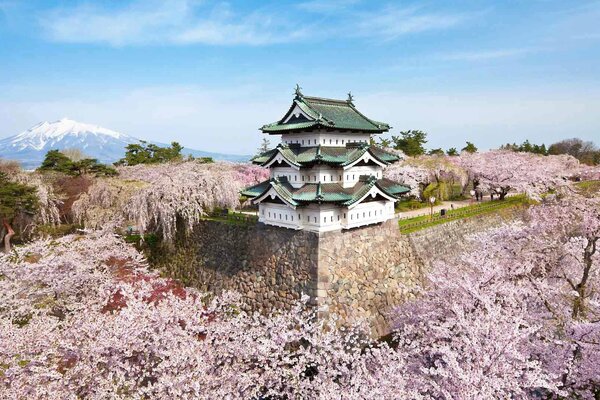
[(166, 196)]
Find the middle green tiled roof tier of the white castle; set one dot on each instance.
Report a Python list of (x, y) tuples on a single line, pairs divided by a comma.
[(336, 156)]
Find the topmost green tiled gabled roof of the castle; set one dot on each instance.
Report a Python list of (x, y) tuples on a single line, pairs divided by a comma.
[(327, 114)]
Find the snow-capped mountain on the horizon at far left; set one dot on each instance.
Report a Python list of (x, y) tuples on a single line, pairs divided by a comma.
[(30, 147)]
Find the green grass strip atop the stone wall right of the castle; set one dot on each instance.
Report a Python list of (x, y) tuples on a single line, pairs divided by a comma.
[(424, 221)]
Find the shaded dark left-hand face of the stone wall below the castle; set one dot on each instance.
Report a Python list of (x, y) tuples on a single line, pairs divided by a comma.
[(270, 267)]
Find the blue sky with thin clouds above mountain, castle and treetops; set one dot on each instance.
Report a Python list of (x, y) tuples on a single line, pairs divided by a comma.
[(209, 74)]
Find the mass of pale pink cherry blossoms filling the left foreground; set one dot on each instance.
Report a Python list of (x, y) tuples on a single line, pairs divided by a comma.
[(83, 317)]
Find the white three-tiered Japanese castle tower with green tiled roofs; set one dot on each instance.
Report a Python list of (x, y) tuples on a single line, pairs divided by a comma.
[(325, 174)]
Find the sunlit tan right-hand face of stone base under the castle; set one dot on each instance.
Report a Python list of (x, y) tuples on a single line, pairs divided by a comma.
[(364, 273)]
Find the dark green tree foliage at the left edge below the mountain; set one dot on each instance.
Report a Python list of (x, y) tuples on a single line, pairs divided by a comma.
[(16, 198)]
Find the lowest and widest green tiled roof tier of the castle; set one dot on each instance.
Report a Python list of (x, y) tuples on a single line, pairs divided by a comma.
[(325, 192)]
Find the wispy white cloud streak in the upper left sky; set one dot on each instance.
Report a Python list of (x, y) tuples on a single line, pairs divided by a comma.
[(173, 21)]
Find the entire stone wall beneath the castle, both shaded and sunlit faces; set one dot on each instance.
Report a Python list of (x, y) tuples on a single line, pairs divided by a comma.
[(356, 274)]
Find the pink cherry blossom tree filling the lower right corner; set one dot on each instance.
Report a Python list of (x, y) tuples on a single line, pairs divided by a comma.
[(516, 317)]
